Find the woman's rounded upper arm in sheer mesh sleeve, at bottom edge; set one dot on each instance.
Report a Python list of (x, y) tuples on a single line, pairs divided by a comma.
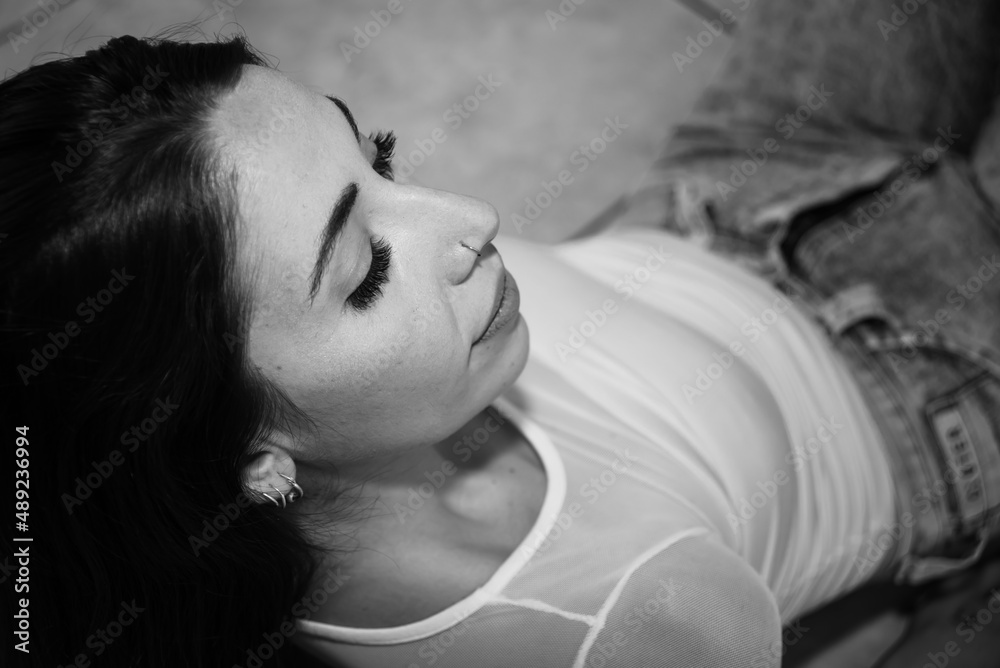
[(694, 604)]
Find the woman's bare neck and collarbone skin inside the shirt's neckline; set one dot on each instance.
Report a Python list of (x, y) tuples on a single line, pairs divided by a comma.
[(435, 527)]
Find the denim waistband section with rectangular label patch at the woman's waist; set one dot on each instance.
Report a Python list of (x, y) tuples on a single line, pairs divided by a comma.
[(937, 410)]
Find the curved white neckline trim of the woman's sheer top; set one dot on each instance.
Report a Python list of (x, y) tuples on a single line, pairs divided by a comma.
[(555, 494)]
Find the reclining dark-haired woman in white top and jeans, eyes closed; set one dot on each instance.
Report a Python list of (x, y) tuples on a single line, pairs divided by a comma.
[(270, 395)]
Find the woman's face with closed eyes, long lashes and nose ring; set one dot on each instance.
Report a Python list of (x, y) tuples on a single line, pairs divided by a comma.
[(369, 310)]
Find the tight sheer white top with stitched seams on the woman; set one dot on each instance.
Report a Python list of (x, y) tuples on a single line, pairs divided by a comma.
[(712, 472)]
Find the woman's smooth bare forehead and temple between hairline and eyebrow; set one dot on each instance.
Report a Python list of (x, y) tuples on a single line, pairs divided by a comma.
[(289, 148)]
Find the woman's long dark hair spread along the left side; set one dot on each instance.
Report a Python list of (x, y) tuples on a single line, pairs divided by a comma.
[(122, 352)]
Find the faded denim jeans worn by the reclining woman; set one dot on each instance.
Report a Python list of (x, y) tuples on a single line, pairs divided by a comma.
[(831, 155)]
